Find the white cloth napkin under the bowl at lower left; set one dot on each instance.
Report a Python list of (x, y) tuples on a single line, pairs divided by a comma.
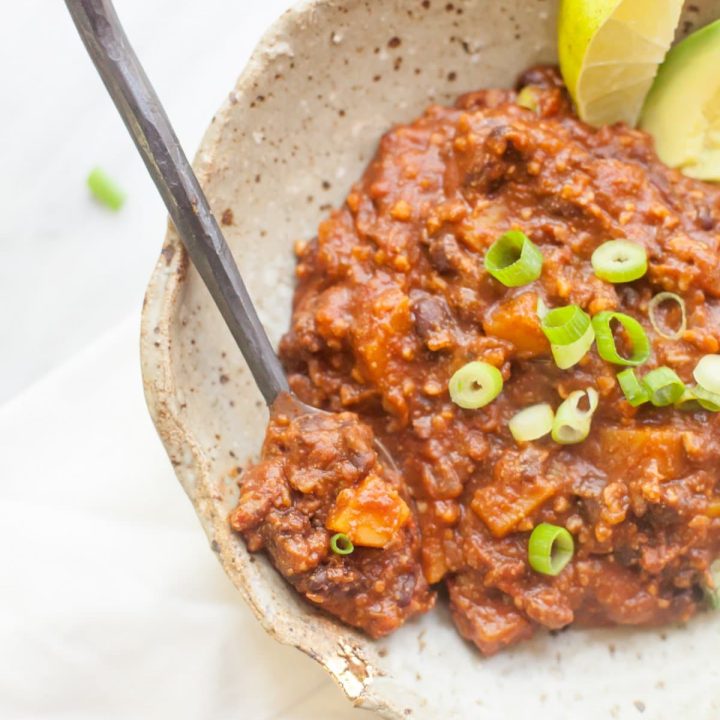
[(111, 603)]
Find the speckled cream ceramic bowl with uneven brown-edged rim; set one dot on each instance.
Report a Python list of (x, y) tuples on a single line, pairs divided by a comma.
[(301, 124)]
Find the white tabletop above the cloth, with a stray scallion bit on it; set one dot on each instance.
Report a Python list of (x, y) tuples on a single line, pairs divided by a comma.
[(68, 268)]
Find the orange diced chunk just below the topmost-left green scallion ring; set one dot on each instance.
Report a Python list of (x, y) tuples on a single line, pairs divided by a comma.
[(516, 320)]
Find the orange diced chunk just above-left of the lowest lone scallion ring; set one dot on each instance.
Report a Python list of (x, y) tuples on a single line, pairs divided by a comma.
[(501, 506)]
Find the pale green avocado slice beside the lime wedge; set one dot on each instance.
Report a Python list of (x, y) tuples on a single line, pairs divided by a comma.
[(682, 110)]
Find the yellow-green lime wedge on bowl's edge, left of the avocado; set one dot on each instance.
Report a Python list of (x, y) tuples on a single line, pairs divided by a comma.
[(610, 51)]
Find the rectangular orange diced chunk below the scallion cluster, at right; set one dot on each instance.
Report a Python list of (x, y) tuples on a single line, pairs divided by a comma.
[(656, 449)]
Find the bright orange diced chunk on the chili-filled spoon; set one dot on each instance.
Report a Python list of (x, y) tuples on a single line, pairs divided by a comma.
[(370, 513)]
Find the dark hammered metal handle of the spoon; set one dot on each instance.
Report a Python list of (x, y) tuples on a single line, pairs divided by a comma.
[(144, 117)]
